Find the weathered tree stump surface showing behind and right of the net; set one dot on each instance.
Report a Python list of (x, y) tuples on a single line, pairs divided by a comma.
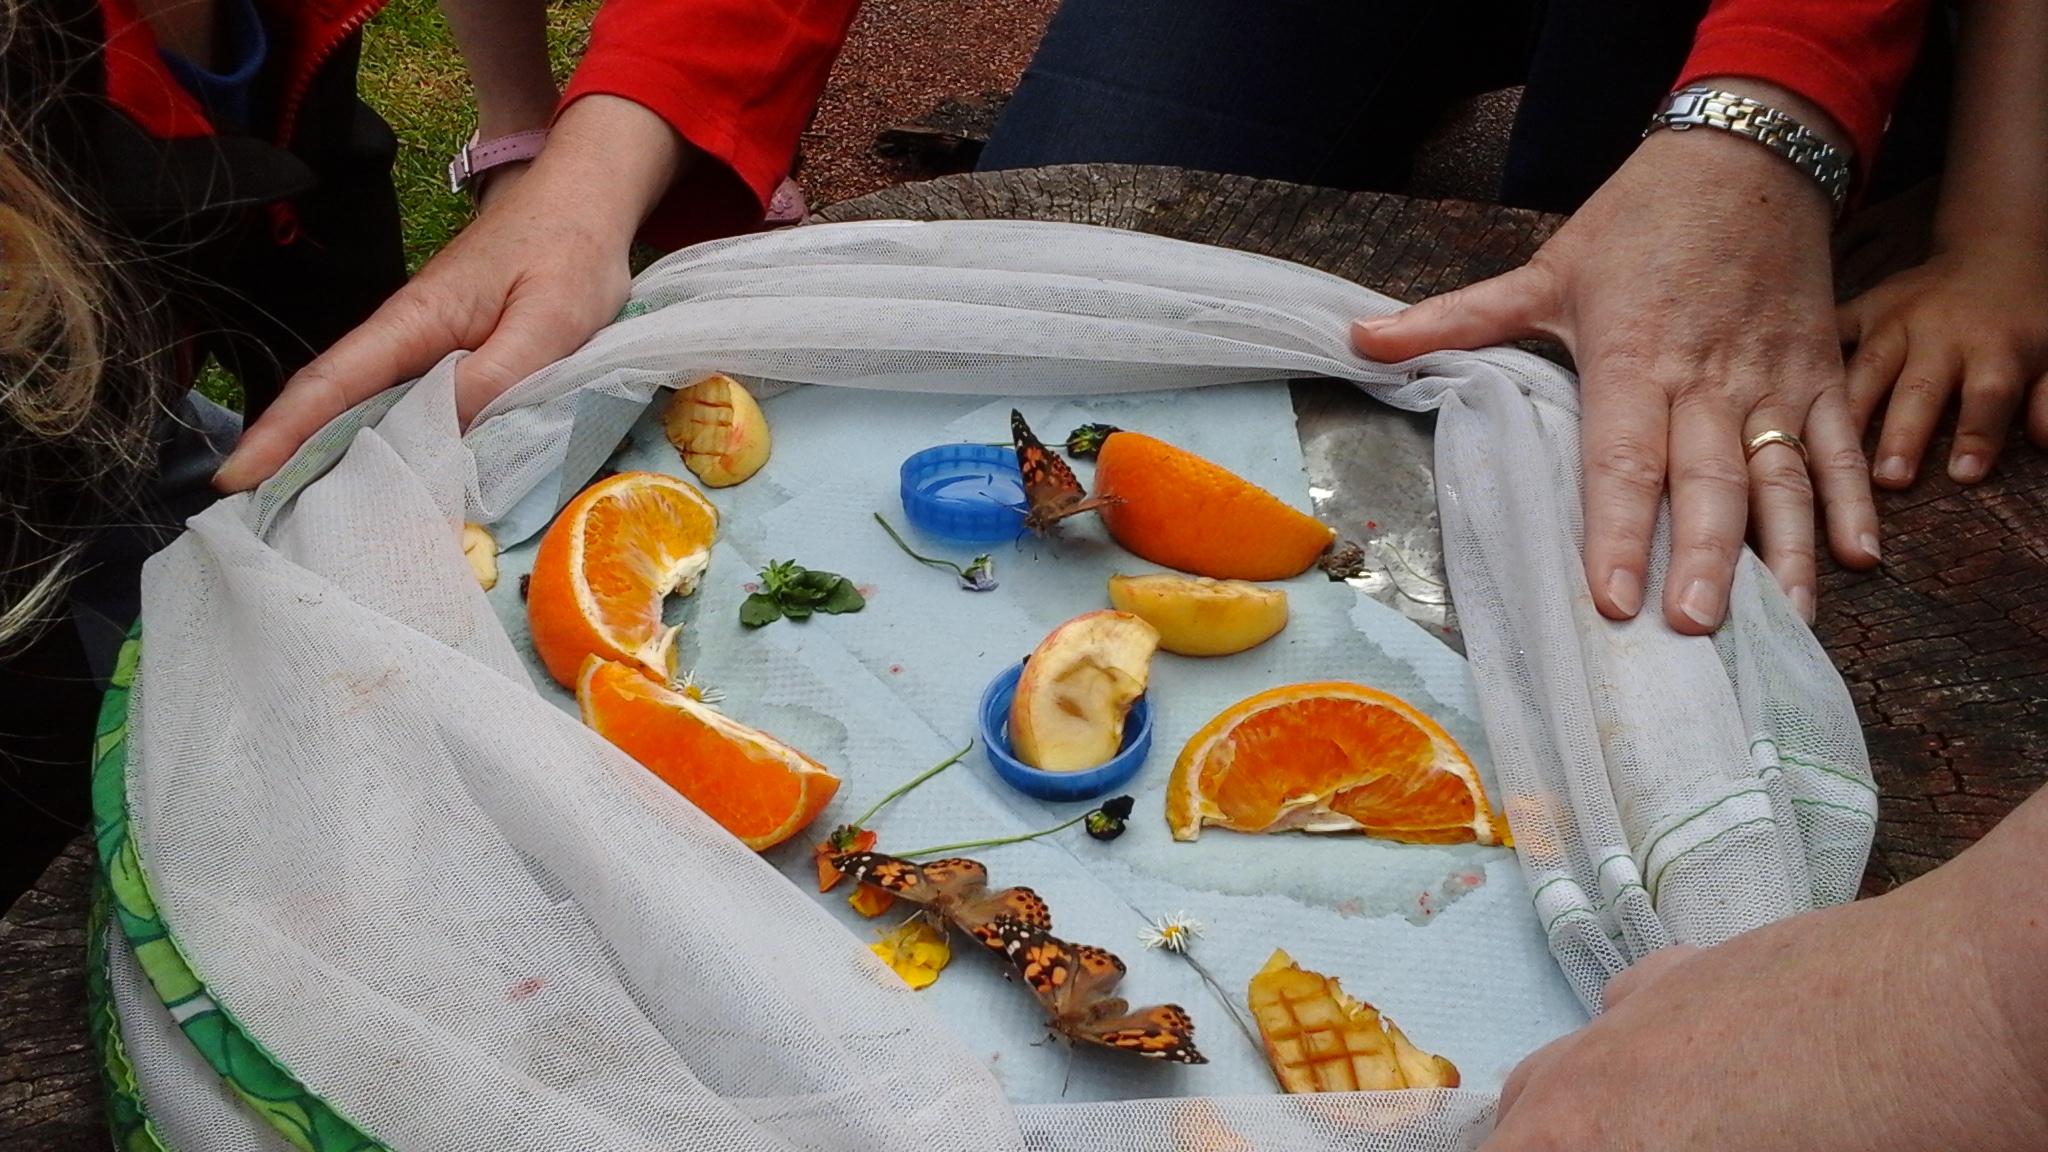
[(1945, 647)]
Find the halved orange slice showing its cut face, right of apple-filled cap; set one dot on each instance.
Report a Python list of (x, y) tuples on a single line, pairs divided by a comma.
[(1330, 759)]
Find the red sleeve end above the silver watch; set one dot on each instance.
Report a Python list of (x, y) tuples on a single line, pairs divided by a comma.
[(1848, 56)]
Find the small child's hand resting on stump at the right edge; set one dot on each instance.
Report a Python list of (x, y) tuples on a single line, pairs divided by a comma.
[(1971, 321)]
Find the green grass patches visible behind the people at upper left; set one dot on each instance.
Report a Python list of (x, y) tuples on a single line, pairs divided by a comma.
[(415, 79)]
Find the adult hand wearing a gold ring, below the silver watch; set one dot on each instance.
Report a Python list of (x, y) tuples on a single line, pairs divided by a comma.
[(1695, 296)]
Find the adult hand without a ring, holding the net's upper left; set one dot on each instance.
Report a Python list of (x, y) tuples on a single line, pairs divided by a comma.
[(527, 284)]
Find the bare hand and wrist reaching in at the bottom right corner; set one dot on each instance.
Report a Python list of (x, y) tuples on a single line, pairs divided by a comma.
[(1910, 1022)]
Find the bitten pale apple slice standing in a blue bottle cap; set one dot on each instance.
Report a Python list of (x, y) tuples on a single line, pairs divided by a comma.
[(1078, 688)]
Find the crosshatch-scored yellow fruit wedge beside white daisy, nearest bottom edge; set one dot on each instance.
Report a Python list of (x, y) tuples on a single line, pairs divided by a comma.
[(1322, 1040)]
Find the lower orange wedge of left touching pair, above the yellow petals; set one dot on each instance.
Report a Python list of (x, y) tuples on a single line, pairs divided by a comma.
[(753, 784)]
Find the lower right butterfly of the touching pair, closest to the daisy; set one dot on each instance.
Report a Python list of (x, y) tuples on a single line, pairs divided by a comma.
[(1074, 983)]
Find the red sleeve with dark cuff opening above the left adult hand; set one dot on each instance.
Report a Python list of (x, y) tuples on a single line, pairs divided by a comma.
[(738, 79)]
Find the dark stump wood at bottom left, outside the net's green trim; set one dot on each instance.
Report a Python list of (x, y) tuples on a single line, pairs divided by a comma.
[(50, 1081)]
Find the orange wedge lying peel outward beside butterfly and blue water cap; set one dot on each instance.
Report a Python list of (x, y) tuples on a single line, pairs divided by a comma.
[(1189, 513)]
